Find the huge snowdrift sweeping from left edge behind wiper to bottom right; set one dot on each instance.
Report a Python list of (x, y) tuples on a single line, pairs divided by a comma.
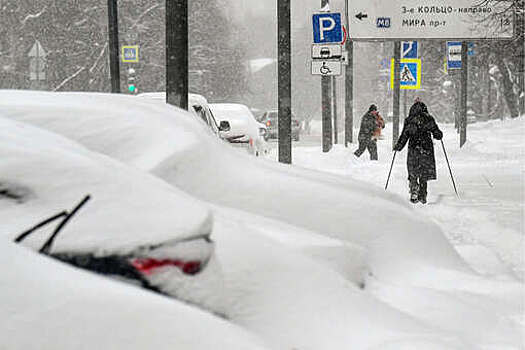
[(300, 294)]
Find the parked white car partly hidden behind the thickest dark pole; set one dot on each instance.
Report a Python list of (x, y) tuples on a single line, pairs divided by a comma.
[(198, 106)]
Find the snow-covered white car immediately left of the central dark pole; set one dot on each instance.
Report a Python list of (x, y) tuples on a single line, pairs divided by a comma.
[(244, 129)]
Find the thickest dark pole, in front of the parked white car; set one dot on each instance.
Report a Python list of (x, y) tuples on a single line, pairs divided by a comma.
[(177, 53)]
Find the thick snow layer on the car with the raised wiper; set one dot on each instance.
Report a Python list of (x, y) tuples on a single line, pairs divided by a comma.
[(129, 208)]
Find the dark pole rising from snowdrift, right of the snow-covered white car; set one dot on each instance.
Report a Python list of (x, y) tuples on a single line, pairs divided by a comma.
[(285, 82)]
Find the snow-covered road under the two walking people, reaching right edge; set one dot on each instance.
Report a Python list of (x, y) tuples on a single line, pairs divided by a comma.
[(485, 224)]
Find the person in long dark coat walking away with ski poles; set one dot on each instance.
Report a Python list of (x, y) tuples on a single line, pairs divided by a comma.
[(418, 128)]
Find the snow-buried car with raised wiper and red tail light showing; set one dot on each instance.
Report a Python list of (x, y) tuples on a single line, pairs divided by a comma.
[(129, 225)]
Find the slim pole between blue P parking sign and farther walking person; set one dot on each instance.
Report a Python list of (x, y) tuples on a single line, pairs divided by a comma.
[(349, 86)]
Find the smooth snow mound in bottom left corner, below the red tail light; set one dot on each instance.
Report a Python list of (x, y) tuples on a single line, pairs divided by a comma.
[(50, 305)]
